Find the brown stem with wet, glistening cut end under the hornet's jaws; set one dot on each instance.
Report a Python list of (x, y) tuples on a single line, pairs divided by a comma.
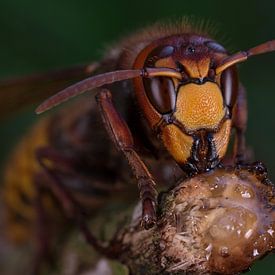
[(220, 222)]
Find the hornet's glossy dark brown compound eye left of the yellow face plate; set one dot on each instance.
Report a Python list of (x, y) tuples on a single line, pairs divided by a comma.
[(161, 93)]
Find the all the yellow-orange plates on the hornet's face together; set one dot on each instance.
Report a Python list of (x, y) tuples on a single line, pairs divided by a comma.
[(198, 107)]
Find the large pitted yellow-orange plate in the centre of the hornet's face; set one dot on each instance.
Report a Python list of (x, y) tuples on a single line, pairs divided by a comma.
[(199, 106)]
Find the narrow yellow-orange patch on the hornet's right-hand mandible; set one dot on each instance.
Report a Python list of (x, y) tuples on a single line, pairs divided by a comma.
[(221, 138)]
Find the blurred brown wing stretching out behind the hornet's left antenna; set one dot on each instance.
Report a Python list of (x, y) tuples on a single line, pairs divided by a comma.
[(18, 93)]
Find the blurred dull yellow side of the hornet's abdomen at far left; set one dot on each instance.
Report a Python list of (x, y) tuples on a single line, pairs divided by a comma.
[(18, 182)]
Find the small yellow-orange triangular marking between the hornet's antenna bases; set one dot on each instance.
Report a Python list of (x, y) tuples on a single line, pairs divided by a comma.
[(196, 68)]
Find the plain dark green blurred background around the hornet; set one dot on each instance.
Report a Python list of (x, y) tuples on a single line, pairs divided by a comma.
[(37, 36)]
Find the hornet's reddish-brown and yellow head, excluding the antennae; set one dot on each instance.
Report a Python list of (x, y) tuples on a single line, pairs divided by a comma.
[(189, 111)]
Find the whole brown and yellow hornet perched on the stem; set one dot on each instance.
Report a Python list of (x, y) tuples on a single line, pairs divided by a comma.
[(176, 99)]
